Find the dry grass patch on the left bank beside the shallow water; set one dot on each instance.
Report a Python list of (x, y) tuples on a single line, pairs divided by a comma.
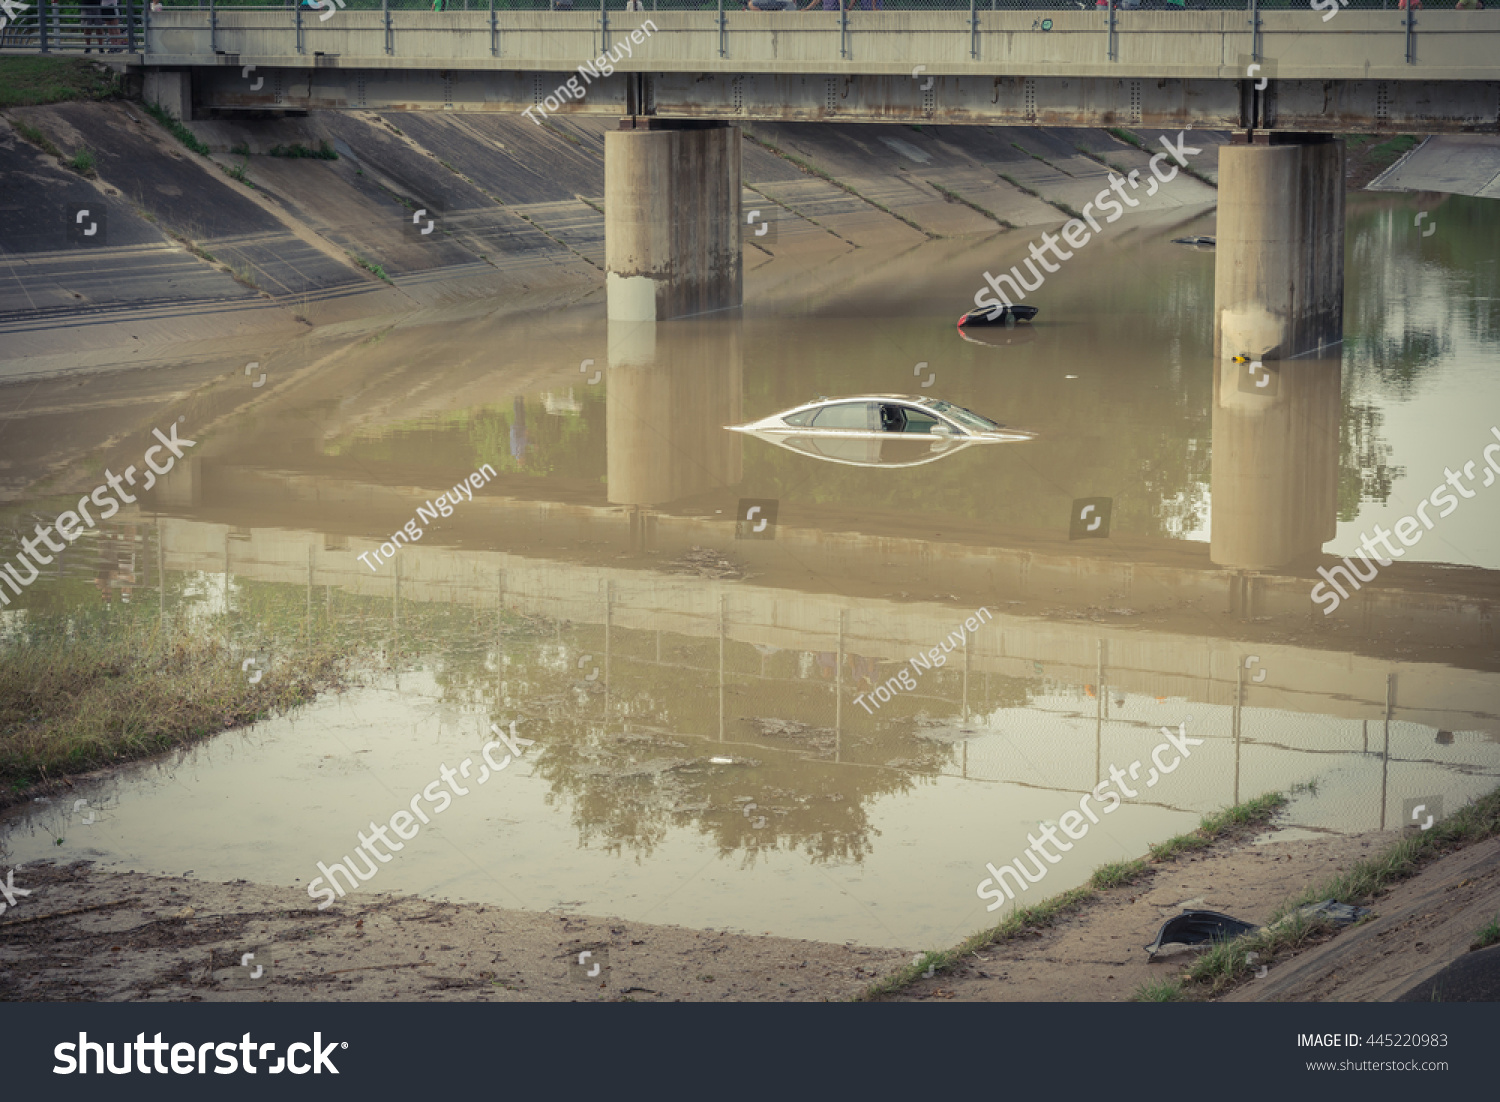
[(77, 696)]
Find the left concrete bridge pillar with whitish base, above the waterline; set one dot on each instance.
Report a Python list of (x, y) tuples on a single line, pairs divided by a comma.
[(673, 221)]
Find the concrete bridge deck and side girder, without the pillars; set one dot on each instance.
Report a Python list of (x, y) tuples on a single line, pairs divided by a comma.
[(1363, 71)]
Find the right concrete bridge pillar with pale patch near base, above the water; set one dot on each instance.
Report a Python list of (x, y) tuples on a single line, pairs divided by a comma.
[(1279, 278)]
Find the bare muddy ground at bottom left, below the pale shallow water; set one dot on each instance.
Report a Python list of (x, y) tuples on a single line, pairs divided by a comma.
[(163, 939)]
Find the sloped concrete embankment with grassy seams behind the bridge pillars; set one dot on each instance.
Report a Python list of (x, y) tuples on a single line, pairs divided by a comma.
[(247, 244)]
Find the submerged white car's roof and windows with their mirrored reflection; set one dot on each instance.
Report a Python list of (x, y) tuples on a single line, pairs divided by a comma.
[(880, 430)]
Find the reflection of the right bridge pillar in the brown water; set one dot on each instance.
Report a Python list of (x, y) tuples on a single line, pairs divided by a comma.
[(1276, 463)]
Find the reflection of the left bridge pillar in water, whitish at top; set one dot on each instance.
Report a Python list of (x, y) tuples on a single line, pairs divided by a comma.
[(670, 395)]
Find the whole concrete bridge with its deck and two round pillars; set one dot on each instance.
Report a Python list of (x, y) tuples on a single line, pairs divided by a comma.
[(1283, 82)]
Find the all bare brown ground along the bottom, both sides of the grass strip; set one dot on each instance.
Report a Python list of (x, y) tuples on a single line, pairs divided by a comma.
[(106, 936)]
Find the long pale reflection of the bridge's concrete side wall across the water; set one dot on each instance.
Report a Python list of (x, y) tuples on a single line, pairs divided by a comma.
[(1157, 663)]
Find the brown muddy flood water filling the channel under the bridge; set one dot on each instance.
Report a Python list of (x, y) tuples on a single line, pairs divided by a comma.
[(700, 680)]
